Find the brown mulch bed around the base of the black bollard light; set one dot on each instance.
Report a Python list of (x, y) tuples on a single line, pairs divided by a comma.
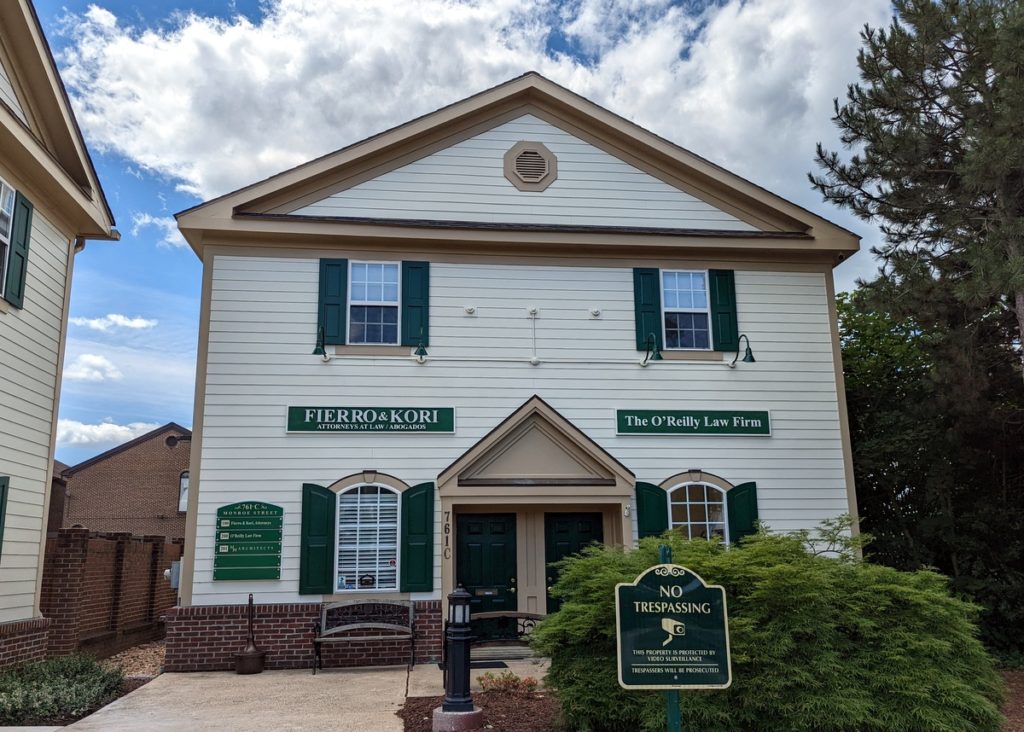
[(502, 712)]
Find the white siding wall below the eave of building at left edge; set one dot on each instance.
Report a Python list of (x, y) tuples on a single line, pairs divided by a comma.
[(30, 343)]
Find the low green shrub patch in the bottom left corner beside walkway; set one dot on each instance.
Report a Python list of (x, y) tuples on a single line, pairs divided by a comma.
[(58, 690)]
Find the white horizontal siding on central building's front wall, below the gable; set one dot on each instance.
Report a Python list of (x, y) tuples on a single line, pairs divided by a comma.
[(263, 324)]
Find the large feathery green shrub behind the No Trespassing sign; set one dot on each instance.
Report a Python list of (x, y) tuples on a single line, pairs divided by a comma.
[(819, 643)]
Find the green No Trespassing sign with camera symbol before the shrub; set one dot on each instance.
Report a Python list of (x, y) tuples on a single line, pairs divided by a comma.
[(673, 632)]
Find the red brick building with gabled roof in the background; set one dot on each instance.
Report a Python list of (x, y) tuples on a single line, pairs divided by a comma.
[(139, 488)]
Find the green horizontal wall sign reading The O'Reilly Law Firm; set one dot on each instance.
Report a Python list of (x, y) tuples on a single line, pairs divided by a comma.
[(693, 422)]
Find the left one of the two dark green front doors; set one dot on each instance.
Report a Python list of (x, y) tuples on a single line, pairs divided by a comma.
[(486, 566)]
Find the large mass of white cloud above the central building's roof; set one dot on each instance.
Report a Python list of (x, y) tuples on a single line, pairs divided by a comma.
[(219, 104)]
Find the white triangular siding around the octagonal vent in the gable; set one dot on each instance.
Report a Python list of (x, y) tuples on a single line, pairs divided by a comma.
[(466, 183)]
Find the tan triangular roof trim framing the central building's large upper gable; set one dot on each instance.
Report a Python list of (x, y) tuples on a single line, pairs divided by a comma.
[(268, 206)]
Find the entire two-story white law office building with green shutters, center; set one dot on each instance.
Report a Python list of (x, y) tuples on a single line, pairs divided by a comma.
[(465, 348)]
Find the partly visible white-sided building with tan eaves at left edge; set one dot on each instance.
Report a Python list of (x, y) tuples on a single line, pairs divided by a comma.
[(51, 203)]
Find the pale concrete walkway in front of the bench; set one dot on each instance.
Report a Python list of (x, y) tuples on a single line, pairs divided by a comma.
[(361, 701)]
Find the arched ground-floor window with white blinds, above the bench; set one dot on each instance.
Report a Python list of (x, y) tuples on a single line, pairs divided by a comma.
[(368, 538)]
